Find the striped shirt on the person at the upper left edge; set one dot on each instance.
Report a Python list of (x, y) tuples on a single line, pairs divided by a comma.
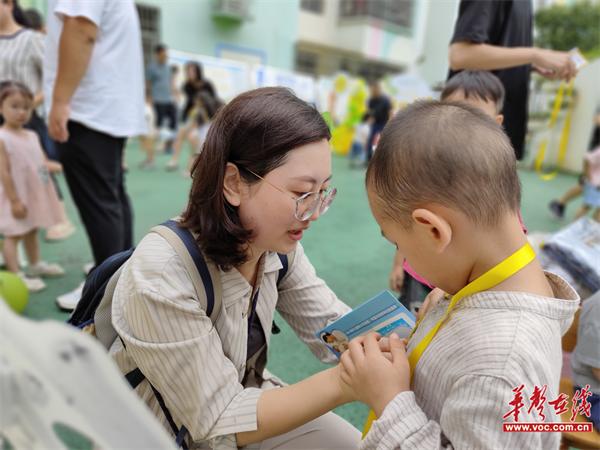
[(21, 58)]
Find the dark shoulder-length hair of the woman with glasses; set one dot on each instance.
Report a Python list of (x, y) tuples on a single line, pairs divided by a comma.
[(255, 131)]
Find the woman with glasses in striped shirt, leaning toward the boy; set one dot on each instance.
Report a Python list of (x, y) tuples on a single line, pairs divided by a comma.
[(263, 177)]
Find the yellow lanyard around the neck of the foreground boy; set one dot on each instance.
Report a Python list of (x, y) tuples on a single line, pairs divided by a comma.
[(488, 280)]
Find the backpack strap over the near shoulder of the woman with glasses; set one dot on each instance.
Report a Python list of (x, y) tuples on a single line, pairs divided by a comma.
[(205, 277)]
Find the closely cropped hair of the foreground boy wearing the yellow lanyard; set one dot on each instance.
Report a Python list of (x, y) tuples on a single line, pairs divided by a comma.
[(447, 153)]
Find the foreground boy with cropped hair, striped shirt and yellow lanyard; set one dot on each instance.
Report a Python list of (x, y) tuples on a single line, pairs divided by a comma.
[(444, 189)]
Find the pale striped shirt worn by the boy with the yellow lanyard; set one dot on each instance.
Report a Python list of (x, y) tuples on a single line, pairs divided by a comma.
[(492, 343)]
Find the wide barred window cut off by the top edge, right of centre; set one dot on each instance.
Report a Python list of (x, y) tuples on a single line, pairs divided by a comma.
[(398, 12)]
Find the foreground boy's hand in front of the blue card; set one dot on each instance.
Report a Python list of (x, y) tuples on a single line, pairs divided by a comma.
[(373, 378)]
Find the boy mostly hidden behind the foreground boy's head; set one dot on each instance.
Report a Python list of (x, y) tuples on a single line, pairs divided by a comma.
[(480, 89)]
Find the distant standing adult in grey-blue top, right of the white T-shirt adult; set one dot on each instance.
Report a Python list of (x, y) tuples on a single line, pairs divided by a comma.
[(159, 84)]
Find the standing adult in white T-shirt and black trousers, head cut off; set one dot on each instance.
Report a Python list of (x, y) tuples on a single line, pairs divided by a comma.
[(94, 84)]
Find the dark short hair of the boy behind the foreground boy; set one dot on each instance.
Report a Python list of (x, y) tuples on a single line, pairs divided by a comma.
[(477, 83)]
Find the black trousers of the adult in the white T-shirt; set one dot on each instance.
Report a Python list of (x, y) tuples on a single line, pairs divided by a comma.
[(92, 164)]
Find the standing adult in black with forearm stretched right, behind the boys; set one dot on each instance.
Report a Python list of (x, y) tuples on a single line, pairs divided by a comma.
[(497, 35)]
